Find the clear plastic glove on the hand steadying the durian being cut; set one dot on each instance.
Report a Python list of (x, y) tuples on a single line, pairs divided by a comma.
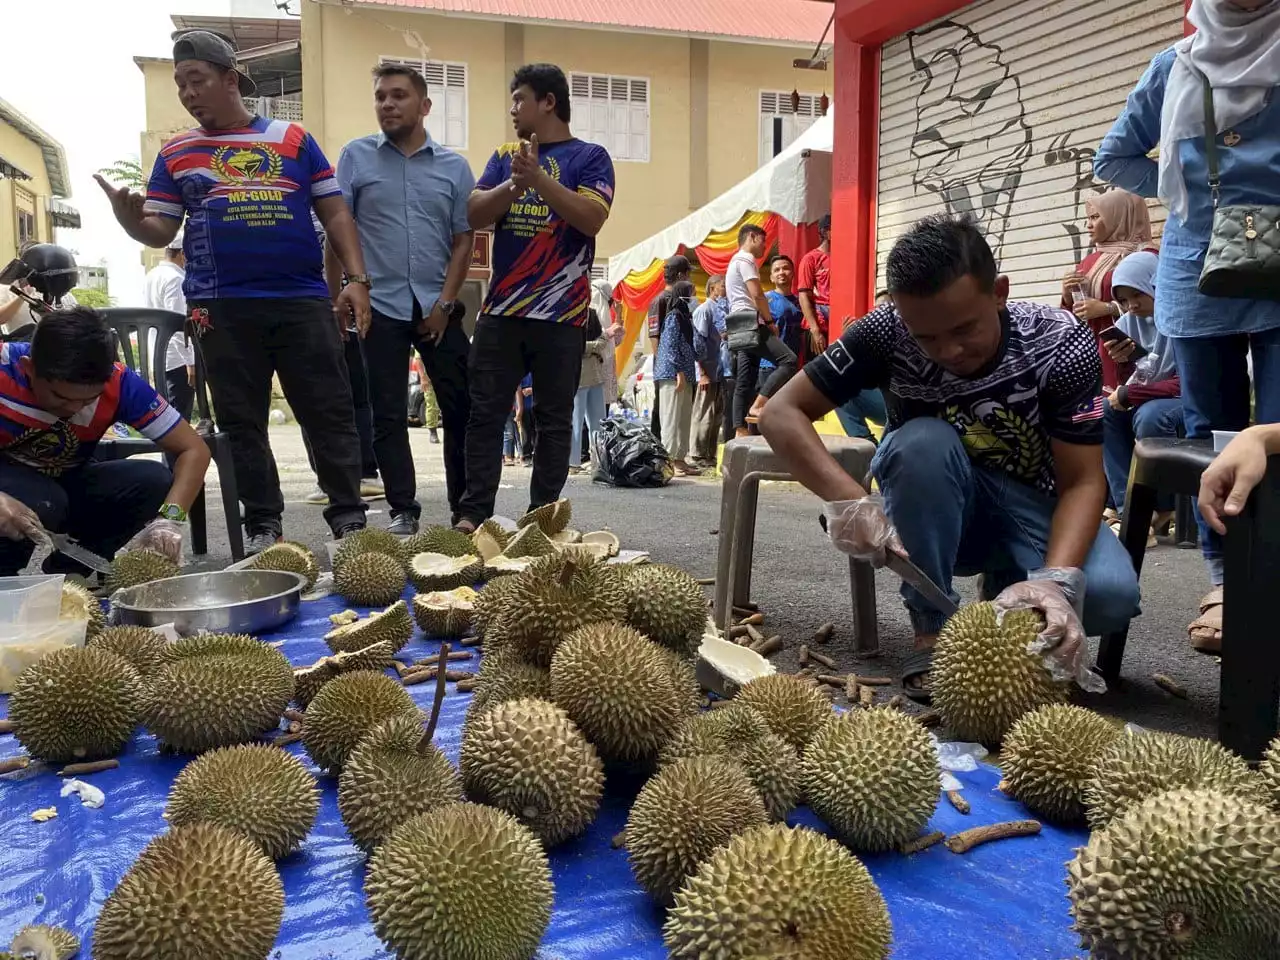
[(1058, 596)]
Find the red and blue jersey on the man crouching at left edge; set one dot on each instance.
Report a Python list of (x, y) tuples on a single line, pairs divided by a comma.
[(39, 440)]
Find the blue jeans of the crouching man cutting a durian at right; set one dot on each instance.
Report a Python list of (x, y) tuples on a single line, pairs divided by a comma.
[(958, 519)]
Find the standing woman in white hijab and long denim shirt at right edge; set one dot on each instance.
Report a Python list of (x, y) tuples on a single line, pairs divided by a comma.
[(1236, 48)]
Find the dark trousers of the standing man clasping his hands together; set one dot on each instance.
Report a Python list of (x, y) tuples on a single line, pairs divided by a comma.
[(502, 351)]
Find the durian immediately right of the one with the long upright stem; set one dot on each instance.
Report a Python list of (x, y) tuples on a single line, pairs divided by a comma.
[(527, 757)]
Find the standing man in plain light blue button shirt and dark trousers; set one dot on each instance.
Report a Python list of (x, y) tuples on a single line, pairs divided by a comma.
[(409, 196)]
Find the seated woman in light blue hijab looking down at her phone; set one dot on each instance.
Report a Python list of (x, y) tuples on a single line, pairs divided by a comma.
[(1149, 404)]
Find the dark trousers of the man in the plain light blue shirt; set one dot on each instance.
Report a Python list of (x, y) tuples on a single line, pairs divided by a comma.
[(388, 348)]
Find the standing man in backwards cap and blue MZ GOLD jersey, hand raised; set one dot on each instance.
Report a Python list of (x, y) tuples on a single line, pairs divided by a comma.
[(255, 280)]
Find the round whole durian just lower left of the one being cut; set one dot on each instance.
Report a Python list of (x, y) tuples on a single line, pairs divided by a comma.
[(874, 778)]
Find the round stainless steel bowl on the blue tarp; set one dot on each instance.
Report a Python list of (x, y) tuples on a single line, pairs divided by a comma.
[(223, 602)]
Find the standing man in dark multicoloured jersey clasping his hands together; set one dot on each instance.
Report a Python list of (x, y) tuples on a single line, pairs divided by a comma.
[(547, 198)]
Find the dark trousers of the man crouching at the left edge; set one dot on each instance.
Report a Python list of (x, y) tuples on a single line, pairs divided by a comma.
[(99, 505)]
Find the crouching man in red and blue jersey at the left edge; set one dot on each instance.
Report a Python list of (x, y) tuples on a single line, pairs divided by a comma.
[(58, 396)]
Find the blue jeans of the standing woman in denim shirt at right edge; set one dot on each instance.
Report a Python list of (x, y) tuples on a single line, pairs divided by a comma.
[(1217, 397)]
